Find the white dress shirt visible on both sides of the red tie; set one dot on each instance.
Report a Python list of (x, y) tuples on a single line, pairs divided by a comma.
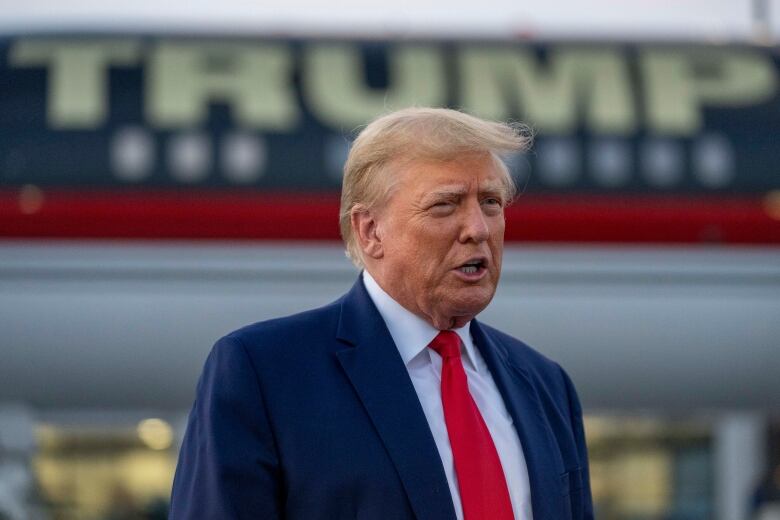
[(412, 335)]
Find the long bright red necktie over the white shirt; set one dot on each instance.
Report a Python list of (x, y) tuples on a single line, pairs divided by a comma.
[(483, 490)]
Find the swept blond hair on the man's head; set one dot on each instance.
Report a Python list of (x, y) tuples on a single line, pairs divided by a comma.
[(411, 134)]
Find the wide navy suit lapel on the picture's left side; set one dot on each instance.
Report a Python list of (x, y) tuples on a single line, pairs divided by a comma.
[(377, 372)]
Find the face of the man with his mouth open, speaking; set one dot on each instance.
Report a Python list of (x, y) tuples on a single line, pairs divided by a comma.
[(442, 233)]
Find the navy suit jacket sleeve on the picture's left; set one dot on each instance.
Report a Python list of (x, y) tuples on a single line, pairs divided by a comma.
[(228, 465)]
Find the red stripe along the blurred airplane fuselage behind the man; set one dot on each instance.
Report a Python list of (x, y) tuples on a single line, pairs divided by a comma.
[(227, 214)]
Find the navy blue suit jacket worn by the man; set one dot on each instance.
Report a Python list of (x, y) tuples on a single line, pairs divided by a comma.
[(313, 416)]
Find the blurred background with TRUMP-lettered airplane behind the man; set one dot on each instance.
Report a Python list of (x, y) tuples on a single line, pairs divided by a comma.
[(169, 171)]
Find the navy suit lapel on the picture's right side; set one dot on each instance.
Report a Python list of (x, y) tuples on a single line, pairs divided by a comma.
[(522, 402)]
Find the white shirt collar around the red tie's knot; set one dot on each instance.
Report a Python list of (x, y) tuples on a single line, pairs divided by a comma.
[(411, 334)]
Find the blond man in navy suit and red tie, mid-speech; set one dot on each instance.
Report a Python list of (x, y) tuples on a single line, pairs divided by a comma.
[(394, 402)]
